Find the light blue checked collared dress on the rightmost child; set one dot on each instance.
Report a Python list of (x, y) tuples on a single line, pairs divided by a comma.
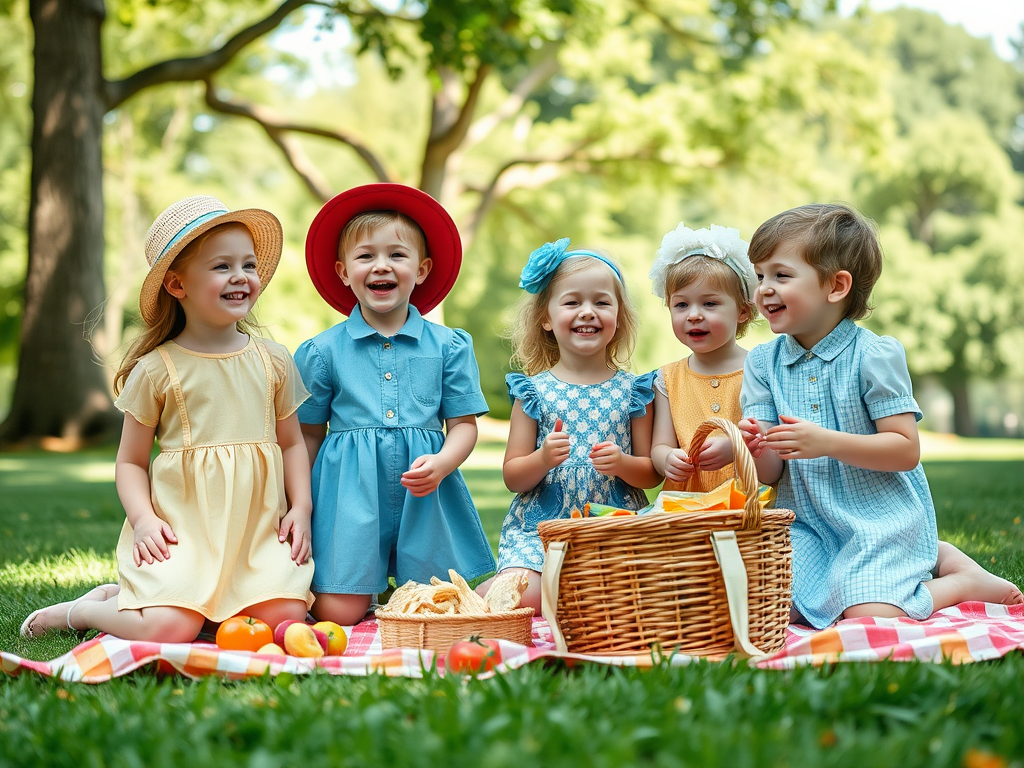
[(861, 536)]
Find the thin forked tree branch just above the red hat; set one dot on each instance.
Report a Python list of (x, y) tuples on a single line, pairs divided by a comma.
[(278, 129)]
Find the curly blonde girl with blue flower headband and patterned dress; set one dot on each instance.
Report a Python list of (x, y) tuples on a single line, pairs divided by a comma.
[(581, 428)]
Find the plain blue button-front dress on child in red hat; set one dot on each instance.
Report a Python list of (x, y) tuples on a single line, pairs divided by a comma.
[(386, 402)]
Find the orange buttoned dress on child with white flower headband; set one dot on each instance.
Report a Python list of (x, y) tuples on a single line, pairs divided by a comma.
[(693, 400)]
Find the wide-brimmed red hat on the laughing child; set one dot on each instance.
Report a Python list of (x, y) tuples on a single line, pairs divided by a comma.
[(444, 243)]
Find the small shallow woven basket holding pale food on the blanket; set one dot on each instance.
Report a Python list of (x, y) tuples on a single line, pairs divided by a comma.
[(439, 632)]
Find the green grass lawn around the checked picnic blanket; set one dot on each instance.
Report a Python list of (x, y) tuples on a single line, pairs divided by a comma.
[(60, 519)]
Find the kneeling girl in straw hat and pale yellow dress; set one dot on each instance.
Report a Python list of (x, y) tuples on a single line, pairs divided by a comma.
[(219, 525)]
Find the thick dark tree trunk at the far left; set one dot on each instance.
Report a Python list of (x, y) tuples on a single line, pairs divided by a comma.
[(61, 391)]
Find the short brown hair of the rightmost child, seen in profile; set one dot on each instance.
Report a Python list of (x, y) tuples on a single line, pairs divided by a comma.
[(834, 238)]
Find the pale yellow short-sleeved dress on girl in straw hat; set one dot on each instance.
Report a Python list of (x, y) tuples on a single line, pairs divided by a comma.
[(219, 480)]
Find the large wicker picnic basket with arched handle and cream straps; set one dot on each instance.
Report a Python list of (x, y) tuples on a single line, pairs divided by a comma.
[(699, 583)]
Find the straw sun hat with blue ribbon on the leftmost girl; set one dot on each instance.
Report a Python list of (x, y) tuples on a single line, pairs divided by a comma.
[(188, 220)]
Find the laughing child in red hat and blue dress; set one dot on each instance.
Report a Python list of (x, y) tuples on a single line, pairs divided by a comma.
[(401, 396)]
